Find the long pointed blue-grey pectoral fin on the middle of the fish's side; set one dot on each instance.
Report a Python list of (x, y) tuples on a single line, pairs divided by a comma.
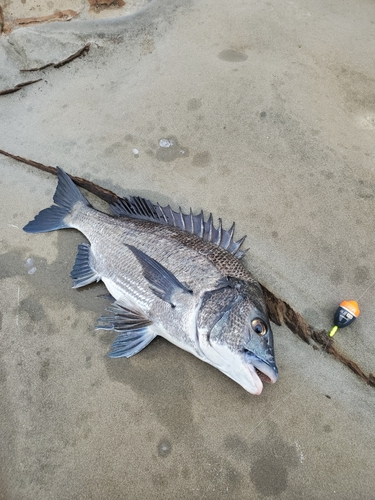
[(161, 281)]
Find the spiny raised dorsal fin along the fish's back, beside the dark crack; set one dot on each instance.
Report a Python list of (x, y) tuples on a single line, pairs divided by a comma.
[(140, 208)]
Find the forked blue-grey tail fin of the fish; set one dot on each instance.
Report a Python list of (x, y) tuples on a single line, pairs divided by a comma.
[(66, 196)]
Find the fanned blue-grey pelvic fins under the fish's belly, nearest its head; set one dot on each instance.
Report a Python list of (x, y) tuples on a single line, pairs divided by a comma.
[(135, 330)]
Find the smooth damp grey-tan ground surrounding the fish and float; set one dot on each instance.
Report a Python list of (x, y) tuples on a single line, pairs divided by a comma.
[(269, 113)]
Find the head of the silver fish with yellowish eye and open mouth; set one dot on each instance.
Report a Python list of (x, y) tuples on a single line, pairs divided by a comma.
[(235, 335)]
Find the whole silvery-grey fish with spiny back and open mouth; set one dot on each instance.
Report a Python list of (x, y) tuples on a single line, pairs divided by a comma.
[(170, 274)]
